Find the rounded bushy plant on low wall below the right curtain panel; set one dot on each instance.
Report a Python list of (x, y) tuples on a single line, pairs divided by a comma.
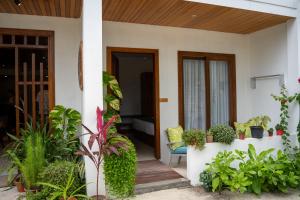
[(223, 133)]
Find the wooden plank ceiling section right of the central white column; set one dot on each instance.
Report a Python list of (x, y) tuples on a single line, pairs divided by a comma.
[(179, 13)]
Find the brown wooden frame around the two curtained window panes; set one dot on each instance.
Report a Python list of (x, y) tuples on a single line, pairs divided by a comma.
[(230, 58)]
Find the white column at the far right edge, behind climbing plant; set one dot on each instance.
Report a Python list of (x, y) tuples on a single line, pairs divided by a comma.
[(293, 68)]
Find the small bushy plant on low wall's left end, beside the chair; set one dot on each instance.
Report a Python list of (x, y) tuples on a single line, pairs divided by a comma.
[(194, 138)]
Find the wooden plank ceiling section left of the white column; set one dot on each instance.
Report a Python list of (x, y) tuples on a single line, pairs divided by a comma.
[(57, 8)]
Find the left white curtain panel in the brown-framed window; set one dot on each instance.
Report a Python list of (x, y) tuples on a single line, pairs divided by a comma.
[(194, 93)]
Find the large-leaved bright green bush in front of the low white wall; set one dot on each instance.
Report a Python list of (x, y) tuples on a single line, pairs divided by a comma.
[(256, 172)]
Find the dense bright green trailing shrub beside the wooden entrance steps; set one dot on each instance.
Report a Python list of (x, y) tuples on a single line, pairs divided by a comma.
[(120, 172)]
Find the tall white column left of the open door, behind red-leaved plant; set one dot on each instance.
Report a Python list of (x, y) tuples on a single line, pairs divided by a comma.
[(92, 79)]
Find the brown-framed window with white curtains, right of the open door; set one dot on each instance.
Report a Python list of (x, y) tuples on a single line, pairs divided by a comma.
[(207, 93)]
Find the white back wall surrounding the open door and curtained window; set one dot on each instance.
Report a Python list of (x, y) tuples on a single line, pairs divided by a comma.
[(169, 41)]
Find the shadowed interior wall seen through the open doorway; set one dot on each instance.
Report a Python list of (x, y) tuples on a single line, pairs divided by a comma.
[(130, 70)]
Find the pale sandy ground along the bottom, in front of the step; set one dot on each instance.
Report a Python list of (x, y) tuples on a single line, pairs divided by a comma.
[(185, 194)]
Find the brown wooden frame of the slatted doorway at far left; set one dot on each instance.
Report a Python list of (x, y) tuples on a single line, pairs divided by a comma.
[(51, 58)]
